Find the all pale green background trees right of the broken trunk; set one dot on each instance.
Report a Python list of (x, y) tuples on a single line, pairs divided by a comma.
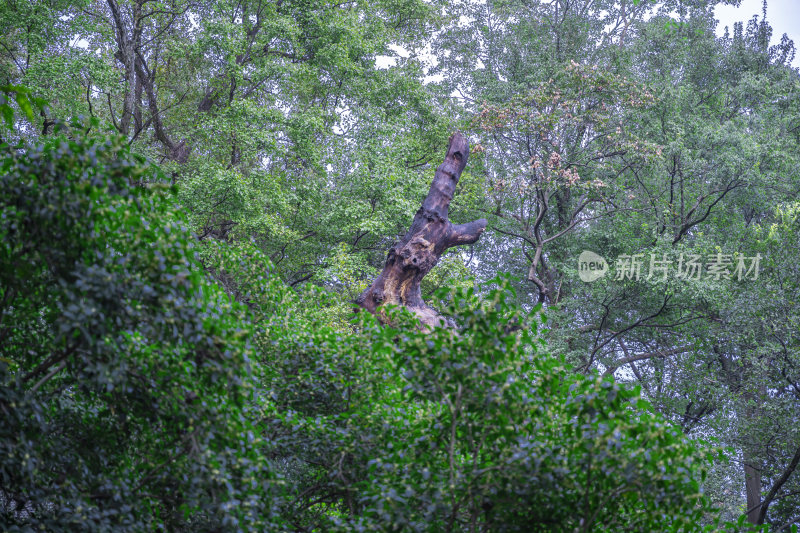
[(609, 131)]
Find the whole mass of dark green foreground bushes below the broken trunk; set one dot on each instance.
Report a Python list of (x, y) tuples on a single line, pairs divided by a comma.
[(148, 382)]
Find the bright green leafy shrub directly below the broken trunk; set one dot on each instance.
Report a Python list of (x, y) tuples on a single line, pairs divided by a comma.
[(393, 428)]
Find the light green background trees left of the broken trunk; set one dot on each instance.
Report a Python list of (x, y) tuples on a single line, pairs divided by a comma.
[(272, 116)]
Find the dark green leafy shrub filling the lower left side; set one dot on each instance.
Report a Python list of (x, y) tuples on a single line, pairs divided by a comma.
[(124, 373)]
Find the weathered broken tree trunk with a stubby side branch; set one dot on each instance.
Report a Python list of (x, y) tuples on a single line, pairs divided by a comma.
[(431, 233)]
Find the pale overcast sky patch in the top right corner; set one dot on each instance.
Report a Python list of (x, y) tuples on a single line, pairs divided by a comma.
[(782, 15)]
